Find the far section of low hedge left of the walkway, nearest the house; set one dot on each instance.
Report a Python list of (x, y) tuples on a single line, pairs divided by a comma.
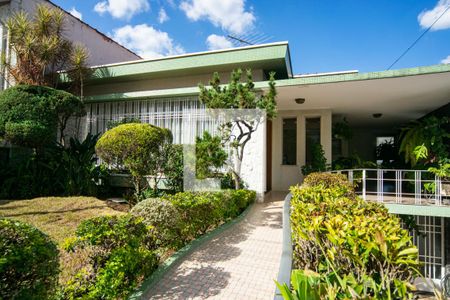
[(180, 218)]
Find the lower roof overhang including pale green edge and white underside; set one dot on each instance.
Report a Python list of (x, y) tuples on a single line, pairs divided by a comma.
[(399, 95)]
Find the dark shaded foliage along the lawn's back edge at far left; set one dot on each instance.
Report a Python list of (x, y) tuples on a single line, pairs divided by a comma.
[(54, 170)]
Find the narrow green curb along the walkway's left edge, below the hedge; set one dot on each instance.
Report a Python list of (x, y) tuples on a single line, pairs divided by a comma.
[(176, 258)]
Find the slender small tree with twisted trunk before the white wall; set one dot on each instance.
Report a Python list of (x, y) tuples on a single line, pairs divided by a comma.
[(239, 95)]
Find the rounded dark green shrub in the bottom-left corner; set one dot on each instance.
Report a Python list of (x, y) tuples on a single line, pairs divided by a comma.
[(29, 264)]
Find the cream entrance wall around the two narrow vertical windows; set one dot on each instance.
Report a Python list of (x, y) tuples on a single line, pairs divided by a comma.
[(284, 176)]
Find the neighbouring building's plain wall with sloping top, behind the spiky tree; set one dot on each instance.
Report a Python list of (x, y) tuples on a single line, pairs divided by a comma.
[(102, 49)]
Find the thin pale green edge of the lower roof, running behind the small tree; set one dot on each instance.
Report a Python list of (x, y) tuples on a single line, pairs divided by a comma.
[(307, 80)]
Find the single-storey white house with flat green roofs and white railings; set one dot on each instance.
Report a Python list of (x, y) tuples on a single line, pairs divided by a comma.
[(375, 104)]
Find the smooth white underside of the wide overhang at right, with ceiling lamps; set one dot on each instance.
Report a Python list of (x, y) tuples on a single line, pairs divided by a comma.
[(399, 99)]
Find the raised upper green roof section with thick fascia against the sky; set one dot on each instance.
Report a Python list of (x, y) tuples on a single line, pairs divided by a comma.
[(268, 57)]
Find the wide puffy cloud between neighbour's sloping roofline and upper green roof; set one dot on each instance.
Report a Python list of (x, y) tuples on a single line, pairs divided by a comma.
[(146, 41)]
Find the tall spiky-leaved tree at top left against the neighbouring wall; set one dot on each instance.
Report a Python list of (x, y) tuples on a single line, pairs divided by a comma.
[(38, 48)]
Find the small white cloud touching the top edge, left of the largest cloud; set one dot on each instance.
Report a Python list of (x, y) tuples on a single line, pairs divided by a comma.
[(121, 9)]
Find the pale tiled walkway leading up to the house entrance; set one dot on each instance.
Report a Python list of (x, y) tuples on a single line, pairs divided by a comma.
[(240, 263)]
